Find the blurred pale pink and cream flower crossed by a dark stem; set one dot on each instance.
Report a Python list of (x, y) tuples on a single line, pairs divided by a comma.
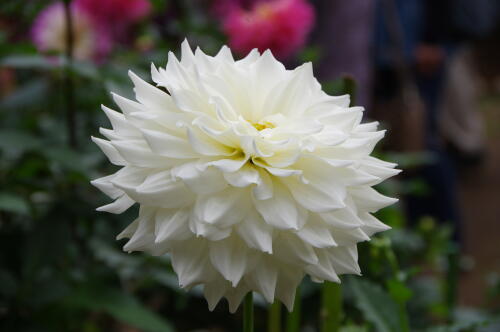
[(90, 40)]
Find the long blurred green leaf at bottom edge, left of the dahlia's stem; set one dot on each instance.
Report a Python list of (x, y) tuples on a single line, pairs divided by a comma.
[(120, 305)]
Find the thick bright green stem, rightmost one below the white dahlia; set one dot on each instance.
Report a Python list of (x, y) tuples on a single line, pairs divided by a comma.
[(331, 307)]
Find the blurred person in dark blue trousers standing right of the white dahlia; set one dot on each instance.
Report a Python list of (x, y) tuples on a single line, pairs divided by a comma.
[(413, 42)]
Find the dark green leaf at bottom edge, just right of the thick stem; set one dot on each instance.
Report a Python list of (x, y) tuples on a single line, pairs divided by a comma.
[(376, 305)]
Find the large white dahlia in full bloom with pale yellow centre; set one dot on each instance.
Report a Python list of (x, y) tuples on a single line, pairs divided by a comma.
[(247, 174)]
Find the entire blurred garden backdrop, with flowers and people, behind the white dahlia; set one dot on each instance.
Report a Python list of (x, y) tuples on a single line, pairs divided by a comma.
[(429, 71)]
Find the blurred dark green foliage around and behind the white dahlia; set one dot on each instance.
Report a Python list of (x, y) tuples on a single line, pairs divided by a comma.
[(61, 268)]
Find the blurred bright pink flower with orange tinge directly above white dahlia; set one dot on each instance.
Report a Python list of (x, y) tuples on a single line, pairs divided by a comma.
[(279, 25)]
